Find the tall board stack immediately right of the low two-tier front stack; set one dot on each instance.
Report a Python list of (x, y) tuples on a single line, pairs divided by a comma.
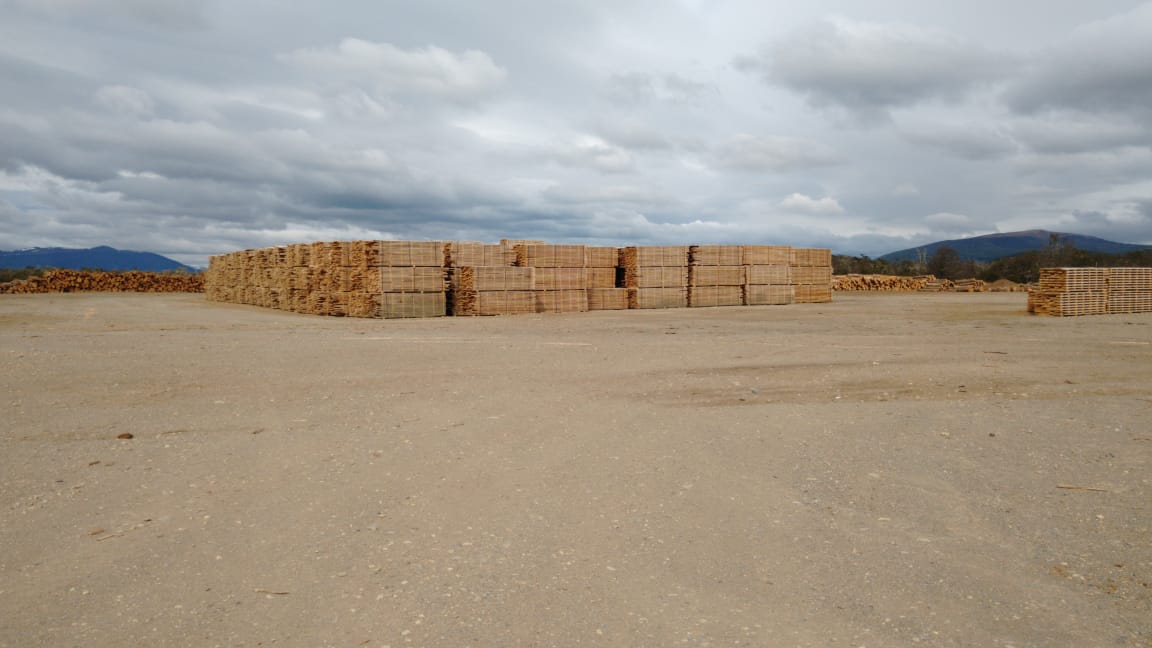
[(562, 276)]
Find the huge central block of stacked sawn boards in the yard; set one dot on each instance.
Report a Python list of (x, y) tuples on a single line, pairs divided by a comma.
[(395, 280)]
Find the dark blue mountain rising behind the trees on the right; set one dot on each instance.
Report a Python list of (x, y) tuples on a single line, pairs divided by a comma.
[(992, 247)]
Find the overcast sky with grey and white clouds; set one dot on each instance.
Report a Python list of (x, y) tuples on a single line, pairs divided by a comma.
[(200, 127)]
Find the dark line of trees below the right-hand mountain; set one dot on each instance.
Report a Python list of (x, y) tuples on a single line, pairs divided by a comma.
[(1025, 268)]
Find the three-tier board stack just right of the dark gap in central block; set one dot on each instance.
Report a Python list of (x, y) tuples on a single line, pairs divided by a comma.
[(656, 276)]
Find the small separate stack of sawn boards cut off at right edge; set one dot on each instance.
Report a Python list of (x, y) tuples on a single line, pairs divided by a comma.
[(1092, 291)]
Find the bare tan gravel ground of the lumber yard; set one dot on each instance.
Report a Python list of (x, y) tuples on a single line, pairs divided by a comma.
[(886, 470)]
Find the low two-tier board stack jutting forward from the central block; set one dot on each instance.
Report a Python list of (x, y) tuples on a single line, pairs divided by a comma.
[(494, 290)]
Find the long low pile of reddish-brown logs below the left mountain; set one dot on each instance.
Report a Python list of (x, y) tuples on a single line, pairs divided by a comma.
[(98, 282)]
